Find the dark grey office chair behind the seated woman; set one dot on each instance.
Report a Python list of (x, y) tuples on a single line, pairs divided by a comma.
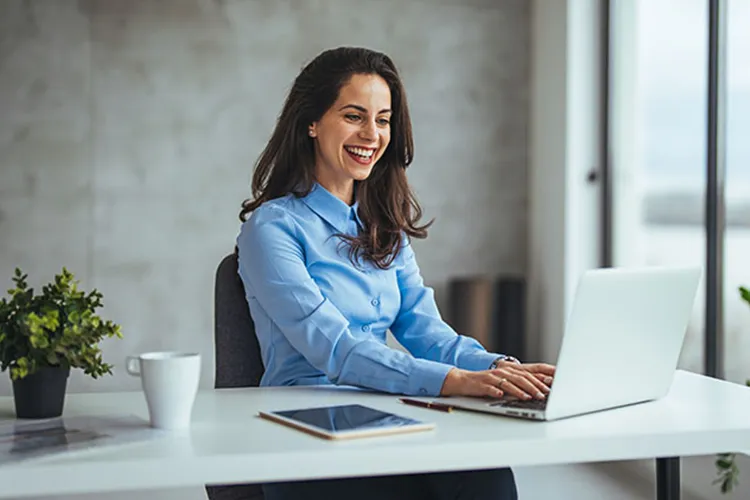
[(237, 355)]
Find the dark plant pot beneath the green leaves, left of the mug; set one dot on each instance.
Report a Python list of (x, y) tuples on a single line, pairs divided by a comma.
[(41, 394)]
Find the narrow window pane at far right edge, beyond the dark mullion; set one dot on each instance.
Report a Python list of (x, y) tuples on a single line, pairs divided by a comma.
[(737, 238)]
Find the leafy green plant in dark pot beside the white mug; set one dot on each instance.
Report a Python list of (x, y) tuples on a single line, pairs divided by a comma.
[(43, 336)]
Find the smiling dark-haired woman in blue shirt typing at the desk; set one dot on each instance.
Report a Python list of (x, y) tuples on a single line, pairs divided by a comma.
[(327, 265)]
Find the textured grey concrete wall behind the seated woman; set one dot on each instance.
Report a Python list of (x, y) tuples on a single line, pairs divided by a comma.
[(128, 131)]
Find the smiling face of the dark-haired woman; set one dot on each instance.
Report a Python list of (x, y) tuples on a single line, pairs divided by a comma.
[(353, 134)]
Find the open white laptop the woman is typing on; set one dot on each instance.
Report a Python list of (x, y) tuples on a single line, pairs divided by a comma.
[(621, 345)]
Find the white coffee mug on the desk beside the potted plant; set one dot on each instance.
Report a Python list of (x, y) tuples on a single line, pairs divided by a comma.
[(170, 383)]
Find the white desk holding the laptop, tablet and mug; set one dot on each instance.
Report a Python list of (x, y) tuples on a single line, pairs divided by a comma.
[(228, 443)]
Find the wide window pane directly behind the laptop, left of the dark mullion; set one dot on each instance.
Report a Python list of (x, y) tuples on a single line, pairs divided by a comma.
[(659, 57)]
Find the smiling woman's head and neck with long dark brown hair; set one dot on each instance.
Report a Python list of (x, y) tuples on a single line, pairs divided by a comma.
[(343, 108)]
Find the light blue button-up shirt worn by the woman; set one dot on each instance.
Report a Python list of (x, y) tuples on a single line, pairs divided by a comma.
[(321, 320)]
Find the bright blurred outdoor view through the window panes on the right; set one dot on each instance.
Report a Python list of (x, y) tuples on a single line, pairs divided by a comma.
[(660, 176)]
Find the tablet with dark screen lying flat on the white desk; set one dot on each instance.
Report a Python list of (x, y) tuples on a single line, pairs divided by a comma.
[(346, 421)]
